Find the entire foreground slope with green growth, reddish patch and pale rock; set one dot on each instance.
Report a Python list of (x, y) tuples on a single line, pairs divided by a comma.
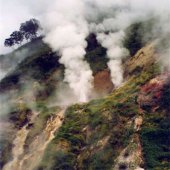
[(117, 132)]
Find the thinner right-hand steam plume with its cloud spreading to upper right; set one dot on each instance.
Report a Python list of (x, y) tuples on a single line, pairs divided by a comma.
[(116, 16)]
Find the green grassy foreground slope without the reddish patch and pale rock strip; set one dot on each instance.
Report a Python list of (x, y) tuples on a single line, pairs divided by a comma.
[(79, 144)]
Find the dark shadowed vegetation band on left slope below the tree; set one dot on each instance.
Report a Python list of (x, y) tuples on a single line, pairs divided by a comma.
[(39, 66)]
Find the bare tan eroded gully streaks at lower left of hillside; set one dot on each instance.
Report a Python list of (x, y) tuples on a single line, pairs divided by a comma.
[(28, 160)]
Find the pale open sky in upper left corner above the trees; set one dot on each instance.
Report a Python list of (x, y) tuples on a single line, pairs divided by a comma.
[(12, 13)]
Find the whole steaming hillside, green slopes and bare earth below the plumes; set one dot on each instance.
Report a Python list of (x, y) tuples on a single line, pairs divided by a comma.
[(127, 129)]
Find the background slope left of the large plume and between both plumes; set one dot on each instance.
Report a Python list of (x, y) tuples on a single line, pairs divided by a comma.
[(34, 79)]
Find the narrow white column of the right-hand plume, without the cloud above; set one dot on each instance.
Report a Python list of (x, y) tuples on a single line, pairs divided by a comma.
[(115, 52)]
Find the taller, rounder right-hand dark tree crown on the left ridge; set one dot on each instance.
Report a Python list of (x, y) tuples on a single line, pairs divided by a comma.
[(30, 29)]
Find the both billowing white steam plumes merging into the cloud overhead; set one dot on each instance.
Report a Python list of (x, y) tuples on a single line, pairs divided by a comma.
[(67, 23)]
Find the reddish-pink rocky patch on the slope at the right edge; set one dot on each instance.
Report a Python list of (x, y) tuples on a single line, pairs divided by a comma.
[(151, 93)]
